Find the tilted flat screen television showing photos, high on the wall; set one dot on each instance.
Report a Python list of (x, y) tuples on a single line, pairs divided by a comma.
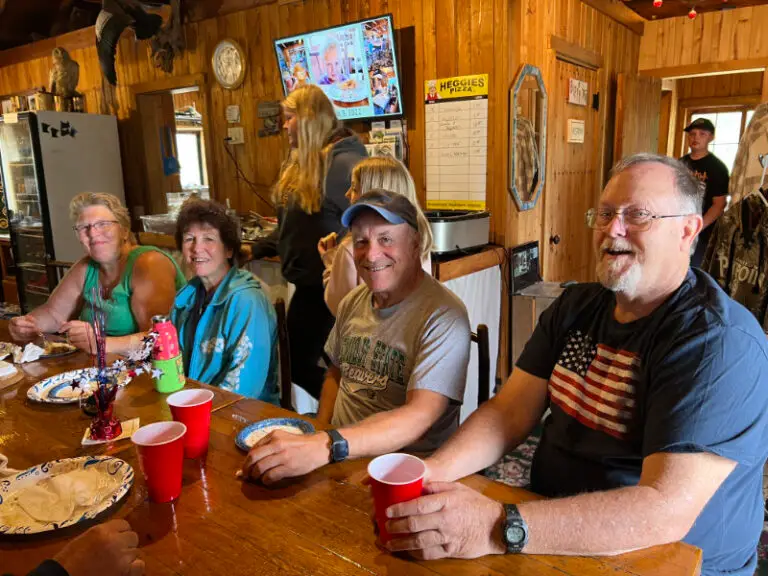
[(354, 64)]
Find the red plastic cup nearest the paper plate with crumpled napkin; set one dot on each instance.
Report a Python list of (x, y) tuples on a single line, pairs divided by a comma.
[(161, 456)]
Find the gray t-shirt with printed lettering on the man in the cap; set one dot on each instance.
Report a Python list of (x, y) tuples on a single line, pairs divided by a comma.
[(422, 343)]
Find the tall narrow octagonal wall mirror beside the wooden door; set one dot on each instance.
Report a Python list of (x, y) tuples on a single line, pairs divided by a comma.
[(527, 137)]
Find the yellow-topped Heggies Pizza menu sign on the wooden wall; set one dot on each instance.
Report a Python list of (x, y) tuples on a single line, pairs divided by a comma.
[(457, 142)]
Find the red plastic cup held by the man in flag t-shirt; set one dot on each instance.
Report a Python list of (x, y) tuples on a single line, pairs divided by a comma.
[(395, 478)]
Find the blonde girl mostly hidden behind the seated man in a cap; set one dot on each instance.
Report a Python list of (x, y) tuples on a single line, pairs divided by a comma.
[(381, 172)]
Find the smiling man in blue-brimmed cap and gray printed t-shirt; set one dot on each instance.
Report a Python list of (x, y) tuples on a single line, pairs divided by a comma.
[(399, 352)]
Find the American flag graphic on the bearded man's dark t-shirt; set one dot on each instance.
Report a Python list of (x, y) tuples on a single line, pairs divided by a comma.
[(595, 384)]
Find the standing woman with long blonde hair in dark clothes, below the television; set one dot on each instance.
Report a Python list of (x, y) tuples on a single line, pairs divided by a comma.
[(310, 197)]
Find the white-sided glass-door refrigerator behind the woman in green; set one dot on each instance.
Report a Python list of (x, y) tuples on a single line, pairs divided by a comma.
[(47, 158)]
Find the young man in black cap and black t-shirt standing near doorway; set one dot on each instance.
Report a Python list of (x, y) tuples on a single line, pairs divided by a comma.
[(711, 171)]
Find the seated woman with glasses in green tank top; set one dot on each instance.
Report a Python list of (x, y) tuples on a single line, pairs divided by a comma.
[(134, 282)]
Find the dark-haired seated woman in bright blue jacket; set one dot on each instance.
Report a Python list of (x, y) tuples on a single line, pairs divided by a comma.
[(226, 323)]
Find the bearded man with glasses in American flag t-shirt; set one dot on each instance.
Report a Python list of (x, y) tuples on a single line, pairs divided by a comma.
[(657, 383)]
